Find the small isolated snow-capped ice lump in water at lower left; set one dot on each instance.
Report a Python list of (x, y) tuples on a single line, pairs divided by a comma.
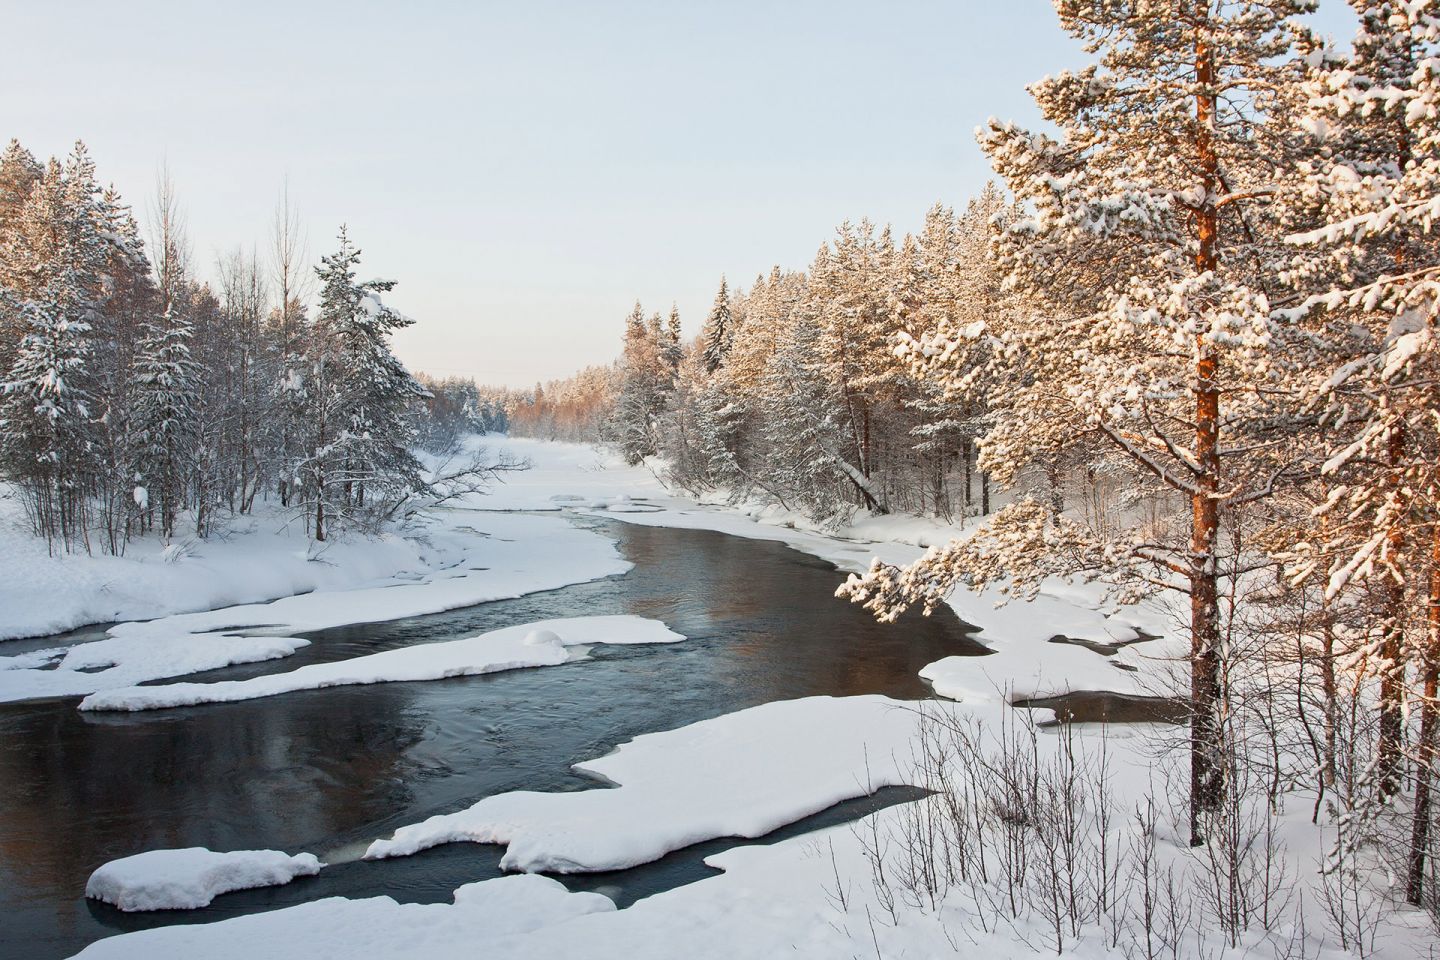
[(191, 879)]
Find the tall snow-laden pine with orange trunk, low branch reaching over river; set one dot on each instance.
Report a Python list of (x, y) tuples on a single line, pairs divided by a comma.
[(1150, 232)]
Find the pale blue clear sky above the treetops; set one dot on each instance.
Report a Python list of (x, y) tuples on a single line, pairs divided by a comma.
[(528, 171)]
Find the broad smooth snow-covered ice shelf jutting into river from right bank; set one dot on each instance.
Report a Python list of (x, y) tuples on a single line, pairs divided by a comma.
[(741, 775)]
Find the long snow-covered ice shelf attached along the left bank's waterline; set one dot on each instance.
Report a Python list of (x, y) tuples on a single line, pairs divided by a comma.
[(513, 556)]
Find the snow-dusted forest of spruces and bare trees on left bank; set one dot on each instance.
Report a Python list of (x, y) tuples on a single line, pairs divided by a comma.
[(139, 398)]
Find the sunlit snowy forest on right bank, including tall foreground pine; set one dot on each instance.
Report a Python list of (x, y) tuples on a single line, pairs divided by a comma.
[(1186, 346)]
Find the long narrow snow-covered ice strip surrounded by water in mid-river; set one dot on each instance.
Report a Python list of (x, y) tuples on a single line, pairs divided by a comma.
[(541, 644)]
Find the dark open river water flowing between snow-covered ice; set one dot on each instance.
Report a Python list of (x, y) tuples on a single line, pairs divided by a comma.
[(330, 771)]
